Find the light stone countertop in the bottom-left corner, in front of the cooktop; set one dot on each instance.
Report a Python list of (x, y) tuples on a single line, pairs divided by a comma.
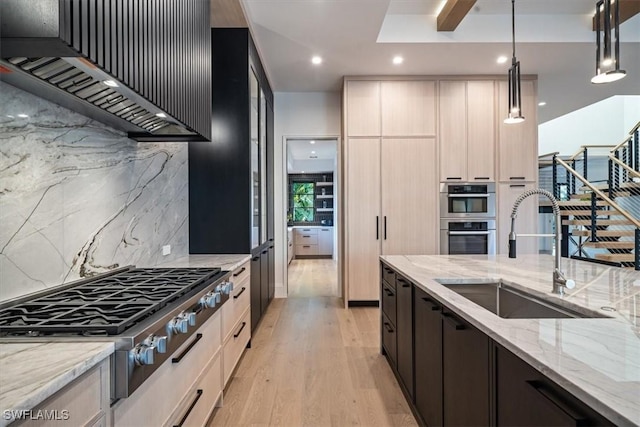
[(32, 372)]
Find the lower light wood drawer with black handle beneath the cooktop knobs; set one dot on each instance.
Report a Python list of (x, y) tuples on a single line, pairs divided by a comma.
[(199, 403)]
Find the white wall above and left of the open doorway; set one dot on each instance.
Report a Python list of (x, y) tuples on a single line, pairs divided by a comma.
[(297, 114)]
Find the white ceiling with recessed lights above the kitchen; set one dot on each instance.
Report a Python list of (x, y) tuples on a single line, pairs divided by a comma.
[(359, 37)]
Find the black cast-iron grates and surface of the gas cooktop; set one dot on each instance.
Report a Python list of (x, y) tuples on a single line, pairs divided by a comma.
[(105, 306)]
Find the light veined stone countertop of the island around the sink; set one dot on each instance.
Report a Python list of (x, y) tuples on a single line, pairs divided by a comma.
[(597, 360)]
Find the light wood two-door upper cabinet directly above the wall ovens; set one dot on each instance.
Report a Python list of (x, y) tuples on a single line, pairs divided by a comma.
[(467, 131)]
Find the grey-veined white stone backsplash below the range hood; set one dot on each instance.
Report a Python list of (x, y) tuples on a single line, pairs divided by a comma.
[(78, 198)]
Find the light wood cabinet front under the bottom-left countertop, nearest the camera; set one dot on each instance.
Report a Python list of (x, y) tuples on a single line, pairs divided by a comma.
[(84, 402)]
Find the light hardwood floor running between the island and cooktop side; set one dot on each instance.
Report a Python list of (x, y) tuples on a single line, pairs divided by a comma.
[(312, 362)]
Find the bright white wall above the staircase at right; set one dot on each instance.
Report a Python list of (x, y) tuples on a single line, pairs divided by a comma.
[(604, 123)]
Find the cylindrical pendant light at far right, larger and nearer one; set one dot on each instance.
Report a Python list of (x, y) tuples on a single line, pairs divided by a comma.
[(607, 67)]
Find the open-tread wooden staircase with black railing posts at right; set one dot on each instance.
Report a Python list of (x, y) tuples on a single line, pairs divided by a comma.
[(601, 217)]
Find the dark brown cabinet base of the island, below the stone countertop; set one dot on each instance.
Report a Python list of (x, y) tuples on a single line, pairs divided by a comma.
[(453, 374)]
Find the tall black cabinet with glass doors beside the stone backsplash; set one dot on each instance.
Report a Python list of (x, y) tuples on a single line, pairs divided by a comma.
[(231, 186)]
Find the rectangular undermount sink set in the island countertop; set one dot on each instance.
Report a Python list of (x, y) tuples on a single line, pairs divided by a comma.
[(511, 303)]
